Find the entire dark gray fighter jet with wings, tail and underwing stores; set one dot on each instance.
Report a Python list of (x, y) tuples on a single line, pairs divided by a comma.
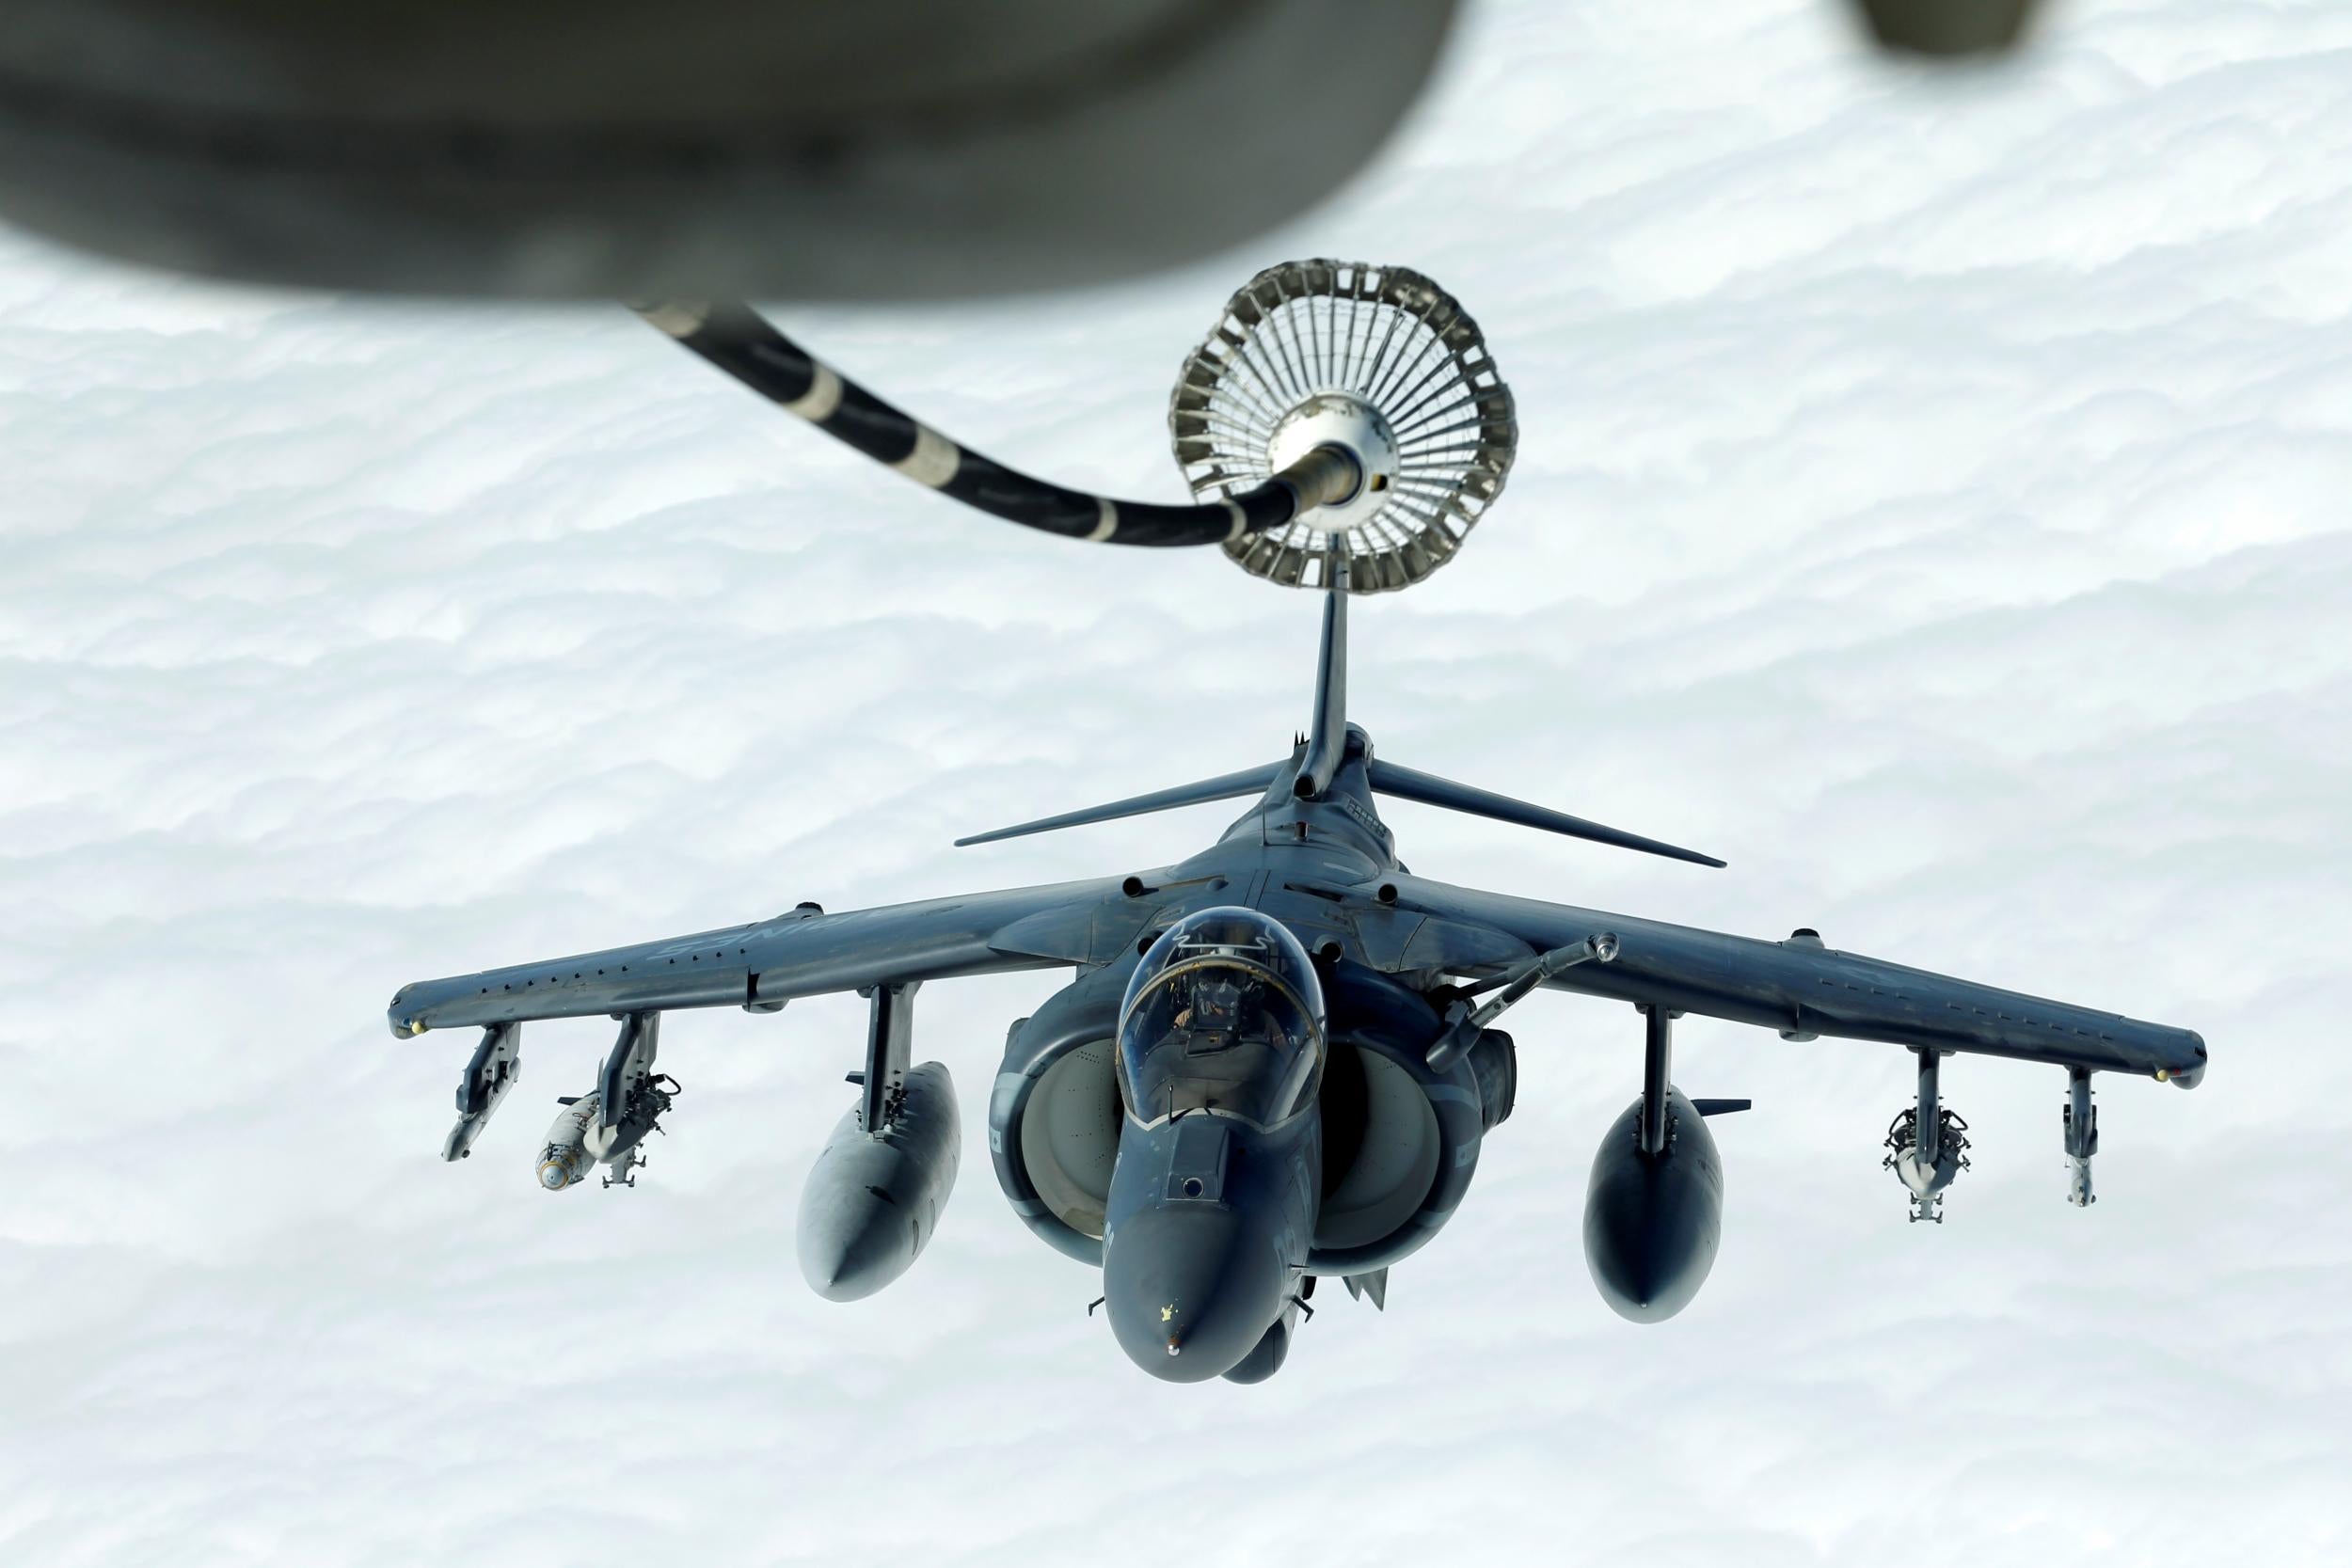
[(1276, 1059)]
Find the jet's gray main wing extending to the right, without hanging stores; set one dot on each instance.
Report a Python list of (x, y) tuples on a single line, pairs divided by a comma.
[(1803, 989)]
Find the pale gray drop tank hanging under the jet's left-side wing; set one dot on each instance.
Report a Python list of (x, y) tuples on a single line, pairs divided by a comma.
[(874, 1198)]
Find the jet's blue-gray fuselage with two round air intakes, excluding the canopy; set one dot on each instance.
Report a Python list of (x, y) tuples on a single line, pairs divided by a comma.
[(1208, 1226)]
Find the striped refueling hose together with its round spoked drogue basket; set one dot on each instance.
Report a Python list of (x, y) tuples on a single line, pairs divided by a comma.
[(1339, 424)]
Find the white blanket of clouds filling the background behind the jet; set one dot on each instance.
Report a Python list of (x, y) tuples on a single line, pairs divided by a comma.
[(1930, 500)]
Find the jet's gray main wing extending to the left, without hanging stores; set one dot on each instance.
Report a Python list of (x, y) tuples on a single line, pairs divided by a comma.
[(801, 953)]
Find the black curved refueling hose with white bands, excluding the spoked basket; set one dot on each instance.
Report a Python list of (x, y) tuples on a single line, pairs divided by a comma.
[(747, 347)]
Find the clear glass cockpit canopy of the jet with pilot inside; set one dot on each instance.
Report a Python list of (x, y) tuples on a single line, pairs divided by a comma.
[(1222, 1014)]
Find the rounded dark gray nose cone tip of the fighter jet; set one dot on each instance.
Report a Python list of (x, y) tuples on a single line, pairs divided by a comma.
[(1191, 1289)]
